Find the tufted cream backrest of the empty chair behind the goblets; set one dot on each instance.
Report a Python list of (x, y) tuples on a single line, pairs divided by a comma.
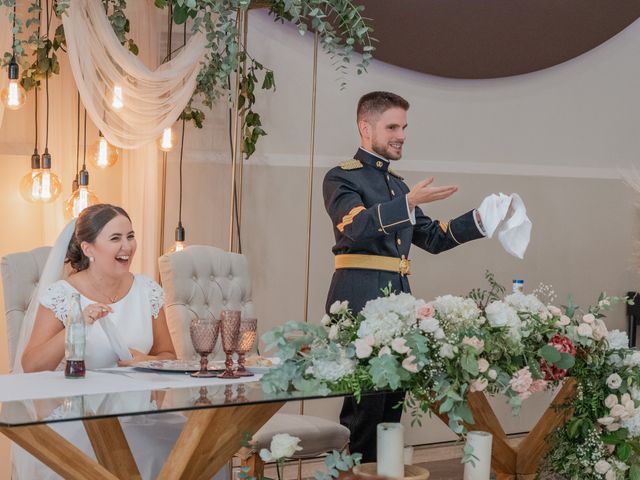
[(202, 280)]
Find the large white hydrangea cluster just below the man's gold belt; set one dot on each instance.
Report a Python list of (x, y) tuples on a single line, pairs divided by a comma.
[(386, 318)]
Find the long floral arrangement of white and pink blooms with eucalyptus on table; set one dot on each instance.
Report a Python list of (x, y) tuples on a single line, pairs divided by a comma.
[(514, 345)]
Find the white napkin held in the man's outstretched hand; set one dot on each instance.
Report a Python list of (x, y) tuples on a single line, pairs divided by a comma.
[(512, 226)]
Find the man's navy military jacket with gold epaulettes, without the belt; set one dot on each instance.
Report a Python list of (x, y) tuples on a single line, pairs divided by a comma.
[(367, 205)]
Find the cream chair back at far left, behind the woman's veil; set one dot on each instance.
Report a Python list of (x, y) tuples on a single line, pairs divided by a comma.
[(20, 277)]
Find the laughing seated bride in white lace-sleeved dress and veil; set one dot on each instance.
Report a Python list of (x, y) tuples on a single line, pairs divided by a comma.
[(99, 248)]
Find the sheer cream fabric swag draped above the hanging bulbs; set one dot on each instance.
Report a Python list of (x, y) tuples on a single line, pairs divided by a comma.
[(151, 100)]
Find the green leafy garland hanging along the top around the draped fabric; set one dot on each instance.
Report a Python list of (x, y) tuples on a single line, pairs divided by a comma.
[(339, 24)]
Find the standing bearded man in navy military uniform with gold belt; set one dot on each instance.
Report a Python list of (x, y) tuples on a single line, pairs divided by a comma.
[(376, 218)]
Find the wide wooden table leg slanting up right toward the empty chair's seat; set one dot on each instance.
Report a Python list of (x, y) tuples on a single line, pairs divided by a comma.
[(211, 436)]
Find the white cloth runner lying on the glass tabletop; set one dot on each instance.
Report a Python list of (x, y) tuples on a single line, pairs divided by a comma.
[(32, 386)]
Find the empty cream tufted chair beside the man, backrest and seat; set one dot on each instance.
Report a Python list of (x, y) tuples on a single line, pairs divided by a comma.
[(203, 278)]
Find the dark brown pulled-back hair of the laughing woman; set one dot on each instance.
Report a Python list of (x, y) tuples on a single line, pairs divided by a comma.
[(89, 224)]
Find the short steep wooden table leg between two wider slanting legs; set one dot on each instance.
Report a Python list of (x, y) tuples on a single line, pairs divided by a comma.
[(111, 447)]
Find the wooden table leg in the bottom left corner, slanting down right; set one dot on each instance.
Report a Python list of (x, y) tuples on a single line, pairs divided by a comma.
[(60, 455)]
